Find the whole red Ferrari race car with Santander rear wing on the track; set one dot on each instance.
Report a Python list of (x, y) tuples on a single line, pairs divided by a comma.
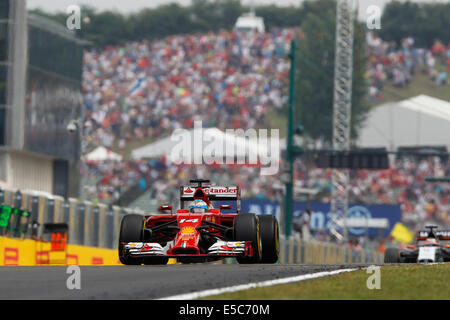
[(198, 232)]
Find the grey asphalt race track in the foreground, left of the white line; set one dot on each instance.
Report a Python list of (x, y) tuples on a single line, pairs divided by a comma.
[(140, 282)]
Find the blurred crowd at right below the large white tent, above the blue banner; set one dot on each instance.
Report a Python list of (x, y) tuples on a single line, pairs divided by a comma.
[(403, 183)]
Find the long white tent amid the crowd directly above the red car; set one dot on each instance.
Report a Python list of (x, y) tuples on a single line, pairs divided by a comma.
[(241, 145)]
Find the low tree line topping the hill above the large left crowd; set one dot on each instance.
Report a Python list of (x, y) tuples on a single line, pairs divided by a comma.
[(114, 28)]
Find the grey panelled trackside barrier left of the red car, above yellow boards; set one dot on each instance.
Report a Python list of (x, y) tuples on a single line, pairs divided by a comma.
[(90, 224)]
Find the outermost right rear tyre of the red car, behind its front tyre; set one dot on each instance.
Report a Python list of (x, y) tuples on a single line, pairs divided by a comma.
[(268, 226)]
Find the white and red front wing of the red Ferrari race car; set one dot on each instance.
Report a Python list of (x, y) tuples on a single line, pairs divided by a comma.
[(220, 249)]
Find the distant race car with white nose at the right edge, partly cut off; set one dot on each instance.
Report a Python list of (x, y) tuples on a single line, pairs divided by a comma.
[(432, 245)]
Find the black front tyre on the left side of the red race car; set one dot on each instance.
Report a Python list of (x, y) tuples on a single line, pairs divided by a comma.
[(131, 229)]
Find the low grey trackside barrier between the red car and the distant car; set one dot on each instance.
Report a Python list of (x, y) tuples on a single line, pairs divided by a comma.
[(294, 250)]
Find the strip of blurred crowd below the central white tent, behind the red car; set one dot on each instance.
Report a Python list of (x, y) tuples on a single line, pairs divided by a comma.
[(161, 179)]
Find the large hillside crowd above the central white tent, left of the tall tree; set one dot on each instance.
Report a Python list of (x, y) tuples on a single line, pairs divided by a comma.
[(148, 89)]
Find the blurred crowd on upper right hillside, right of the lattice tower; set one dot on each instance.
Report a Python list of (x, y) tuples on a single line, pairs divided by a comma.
[(396, 64)]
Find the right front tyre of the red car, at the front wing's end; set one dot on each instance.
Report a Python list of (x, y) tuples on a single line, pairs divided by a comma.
[(246, 228)]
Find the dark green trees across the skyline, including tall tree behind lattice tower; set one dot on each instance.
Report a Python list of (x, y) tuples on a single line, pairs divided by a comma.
[(315, 20)]
